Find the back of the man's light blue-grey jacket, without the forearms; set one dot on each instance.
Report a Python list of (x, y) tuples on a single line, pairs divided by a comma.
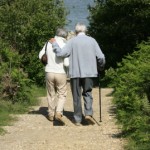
[(84, 50)]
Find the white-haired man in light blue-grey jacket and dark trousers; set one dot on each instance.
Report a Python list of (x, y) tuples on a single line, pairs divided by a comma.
[(84, 54)]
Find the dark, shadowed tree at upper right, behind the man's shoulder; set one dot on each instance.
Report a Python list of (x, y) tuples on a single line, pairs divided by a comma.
[(118, 26)]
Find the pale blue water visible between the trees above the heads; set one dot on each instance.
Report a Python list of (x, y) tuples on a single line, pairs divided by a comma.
[(78, 12)]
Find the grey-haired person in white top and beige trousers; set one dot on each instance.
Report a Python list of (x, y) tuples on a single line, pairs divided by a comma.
[(56, 79)]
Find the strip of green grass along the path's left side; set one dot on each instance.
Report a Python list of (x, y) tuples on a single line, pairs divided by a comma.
[(7, 108)]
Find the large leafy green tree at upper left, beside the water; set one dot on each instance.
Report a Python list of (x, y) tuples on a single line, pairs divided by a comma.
[(27, 25)]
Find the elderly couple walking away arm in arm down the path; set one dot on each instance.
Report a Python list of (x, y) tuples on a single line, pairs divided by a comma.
[(81, 54)]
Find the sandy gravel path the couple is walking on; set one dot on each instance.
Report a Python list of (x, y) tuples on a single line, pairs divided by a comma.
[(33, 131)]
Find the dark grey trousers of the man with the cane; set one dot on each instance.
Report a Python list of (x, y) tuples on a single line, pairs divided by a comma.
[(85, 86)]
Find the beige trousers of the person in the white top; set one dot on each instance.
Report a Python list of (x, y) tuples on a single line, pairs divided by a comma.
[(56, 84)]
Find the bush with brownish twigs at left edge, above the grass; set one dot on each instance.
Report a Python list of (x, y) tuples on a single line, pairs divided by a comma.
[(14, 82)]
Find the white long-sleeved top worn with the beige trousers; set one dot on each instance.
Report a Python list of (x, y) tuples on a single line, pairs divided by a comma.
[(55, 64)]
